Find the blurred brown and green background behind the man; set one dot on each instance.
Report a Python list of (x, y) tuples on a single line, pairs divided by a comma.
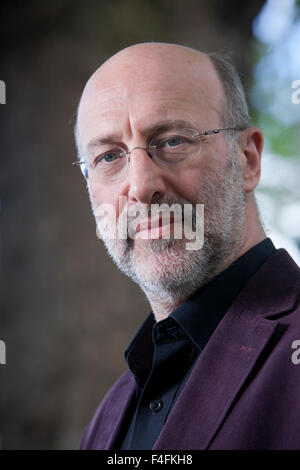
[(66, 312)]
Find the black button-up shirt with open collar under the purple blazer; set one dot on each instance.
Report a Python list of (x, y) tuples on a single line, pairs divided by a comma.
[(162, 354)]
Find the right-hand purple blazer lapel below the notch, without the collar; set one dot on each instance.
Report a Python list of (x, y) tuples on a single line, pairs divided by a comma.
[(216, 380)]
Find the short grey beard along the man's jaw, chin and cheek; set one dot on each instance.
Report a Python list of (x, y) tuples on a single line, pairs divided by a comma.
[(163, 268)]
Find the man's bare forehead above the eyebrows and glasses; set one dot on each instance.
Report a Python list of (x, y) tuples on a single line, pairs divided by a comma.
[(130, 100)]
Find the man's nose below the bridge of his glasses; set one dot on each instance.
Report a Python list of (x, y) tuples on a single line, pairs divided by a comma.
[(145, 179)]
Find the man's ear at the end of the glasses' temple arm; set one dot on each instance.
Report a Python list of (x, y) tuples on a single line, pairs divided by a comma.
[(251, 145)]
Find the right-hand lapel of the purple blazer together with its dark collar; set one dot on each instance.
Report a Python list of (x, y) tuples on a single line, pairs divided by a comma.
[(231, 354)]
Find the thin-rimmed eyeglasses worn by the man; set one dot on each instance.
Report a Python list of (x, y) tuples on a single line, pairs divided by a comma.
[(169, 149)]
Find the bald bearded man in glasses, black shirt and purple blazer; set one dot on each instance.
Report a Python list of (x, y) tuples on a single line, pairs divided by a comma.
[(211, 366)]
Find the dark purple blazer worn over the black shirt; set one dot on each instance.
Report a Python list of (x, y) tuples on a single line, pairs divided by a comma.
[(244, 390)]
